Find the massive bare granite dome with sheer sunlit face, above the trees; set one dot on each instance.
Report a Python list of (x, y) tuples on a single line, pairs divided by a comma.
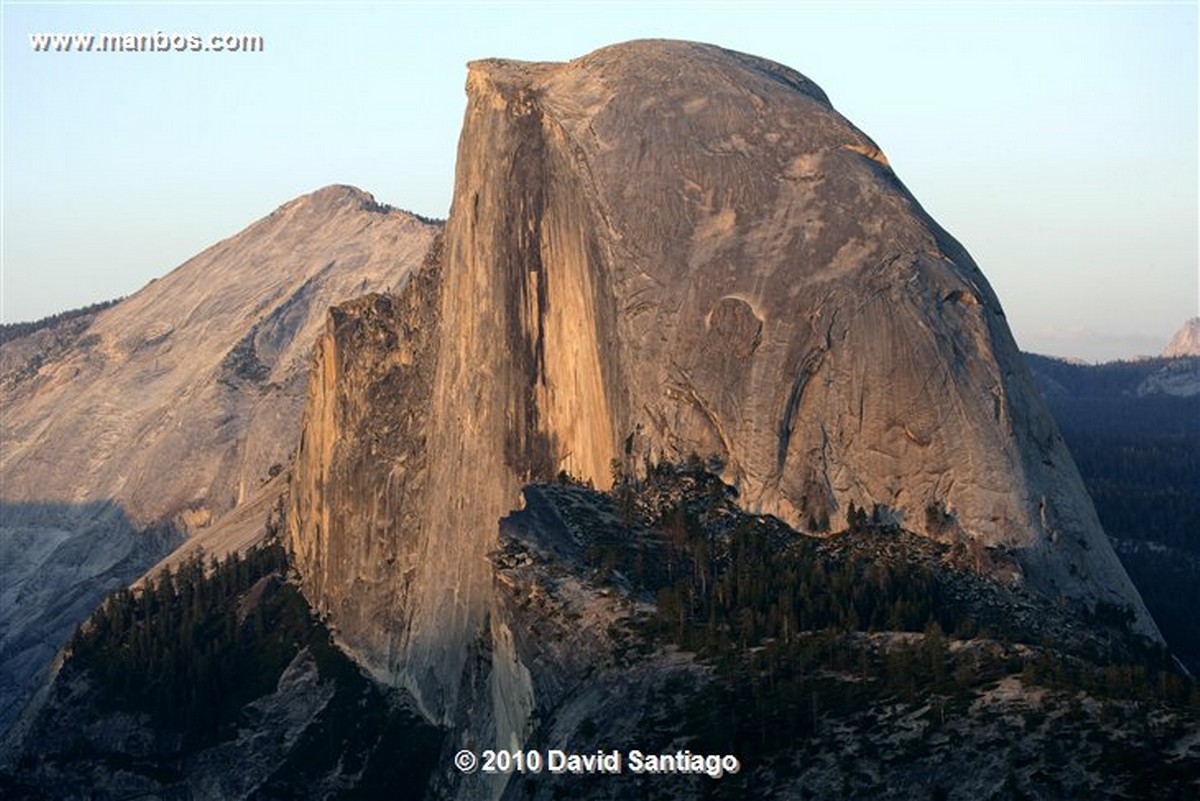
[(664, 249)]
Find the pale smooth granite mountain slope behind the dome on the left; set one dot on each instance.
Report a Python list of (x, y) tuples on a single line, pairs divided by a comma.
[(128, 431)]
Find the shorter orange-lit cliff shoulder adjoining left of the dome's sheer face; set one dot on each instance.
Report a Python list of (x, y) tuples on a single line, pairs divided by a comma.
[(362, 473)]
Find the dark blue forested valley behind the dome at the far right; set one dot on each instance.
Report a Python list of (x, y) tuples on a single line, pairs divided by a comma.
[(1138, 450)]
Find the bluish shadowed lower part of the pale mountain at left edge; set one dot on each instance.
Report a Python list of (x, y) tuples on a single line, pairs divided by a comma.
[(58, 561)]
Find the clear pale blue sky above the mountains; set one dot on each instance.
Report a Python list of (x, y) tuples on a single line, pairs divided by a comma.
[(1058, 142)]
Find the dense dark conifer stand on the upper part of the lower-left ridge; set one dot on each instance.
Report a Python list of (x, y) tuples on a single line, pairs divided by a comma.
[(189, 648)]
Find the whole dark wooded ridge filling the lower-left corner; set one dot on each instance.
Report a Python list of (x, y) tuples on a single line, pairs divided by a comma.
[(217, 682)]
